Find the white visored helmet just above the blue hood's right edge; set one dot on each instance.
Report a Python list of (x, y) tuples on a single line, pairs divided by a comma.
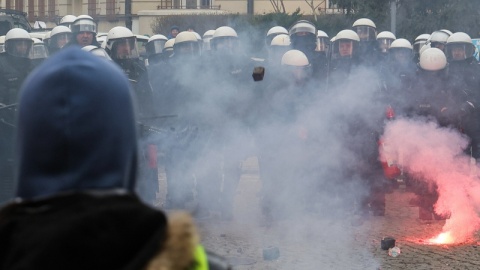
[(121, 43)]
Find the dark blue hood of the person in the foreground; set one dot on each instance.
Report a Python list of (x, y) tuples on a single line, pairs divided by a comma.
[(76, 127)]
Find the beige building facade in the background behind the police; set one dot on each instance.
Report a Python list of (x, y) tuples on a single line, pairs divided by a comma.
[(110, 13)]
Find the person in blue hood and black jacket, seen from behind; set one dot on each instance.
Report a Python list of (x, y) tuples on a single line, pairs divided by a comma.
[(77, 153)]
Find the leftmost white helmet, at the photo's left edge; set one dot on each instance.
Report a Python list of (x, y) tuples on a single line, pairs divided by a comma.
[(18, 43)]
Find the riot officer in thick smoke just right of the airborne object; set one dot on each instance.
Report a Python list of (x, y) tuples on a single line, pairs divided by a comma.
[(281, 135)]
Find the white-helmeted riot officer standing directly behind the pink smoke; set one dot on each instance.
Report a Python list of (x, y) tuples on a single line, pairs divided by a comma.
[(453, 108)]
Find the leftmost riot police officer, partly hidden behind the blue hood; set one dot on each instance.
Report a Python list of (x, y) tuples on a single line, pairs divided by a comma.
[(15, 65)]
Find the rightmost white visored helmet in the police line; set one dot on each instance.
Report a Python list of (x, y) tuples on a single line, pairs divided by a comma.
[(459, 47)]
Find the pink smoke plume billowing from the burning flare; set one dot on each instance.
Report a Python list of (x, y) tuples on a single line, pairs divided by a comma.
[(436, 154)]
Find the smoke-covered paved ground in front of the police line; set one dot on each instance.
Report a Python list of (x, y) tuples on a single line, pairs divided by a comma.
[(318, 242)]
